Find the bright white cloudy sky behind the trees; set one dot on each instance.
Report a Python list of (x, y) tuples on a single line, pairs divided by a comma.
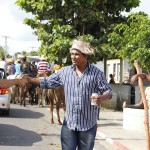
[(18, 36)]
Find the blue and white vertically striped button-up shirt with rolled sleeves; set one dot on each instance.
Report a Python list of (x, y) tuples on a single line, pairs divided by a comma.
[(80, 114)]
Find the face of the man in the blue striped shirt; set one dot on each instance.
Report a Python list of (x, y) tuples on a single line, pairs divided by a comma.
[(77, 57)]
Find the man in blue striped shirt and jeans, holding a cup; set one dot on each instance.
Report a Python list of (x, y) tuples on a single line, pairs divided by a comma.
[(80, 80)]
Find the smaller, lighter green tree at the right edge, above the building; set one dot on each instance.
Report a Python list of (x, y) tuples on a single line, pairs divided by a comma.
[(131, 40)]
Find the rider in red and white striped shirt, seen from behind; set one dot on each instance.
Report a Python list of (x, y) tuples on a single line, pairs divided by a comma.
[(42, 65)]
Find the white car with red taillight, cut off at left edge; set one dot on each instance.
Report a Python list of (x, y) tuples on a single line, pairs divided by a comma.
[(5, 95)]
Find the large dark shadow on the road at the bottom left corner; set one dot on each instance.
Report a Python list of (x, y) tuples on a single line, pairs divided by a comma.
[(15, 136)]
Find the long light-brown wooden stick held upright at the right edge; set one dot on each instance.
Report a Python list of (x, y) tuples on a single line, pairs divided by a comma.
[(146, 119)]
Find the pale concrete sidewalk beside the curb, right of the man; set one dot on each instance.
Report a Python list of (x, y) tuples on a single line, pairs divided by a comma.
[(110, 128)]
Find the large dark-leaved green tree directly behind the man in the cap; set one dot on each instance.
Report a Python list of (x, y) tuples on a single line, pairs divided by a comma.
[(58, 22)]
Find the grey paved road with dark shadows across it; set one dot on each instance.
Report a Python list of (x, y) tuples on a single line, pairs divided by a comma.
[(29, 128)]
